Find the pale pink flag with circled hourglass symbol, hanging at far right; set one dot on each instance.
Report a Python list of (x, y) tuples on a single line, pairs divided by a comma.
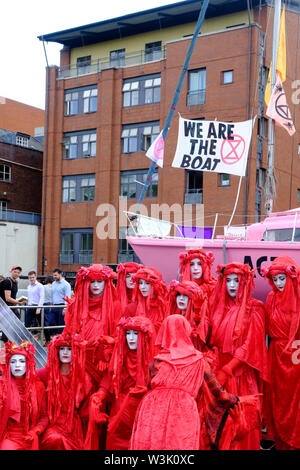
[(278, 108)]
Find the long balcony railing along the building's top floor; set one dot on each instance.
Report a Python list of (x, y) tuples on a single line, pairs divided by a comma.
[(130, 59)]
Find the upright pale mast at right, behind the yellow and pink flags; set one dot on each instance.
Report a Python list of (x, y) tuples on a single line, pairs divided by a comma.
[(270, 185)]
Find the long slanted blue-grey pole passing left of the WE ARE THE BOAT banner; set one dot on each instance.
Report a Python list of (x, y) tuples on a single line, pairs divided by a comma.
[(175, 98)]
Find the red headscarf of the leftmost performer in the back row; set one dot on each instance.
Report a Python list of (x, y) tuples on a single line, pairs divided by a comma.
[(79, 304)]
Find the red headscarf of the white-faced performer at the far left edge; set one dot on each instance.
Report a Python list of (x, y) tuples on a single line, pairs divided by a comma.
[(10, 402)]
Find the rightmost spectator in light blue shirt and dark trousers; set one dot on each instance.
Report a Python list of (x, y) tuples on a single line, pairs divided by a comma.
[(60, 289)]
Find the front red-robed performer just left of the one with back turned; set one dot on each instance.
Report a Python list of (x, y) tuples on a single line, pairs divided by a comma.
[(126, 381)]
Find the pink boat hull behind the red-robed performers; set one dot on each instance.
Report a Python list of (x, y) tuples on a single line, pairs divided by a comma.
[(163, 254)]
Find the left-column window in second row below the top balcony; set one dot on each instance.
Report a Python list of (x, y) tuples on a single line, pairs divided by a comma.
[(79, 144)]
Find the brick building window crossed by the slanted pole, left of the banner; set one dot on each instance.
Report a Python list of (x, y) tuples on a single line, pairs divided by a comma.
[(132, 183)]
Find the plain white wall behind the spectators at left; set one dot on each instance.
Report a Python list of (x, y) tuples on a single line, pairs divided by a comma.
[(18, 245)]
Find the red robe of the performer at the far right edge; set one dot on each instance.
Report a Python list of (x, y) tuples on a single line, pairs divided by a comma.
[(283, 394)]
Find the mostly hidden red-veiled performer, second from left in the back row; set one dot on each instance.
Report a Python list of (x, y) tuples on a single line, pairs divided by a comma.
[(125, 284)]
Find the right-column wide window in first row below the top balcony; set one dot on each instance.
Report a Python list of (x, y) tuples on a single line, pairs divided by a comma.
[(141, 90)]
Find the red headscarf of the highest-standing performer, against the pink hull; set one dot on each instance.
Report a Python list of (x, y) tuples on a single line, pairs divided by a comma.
[(206, 259)]
